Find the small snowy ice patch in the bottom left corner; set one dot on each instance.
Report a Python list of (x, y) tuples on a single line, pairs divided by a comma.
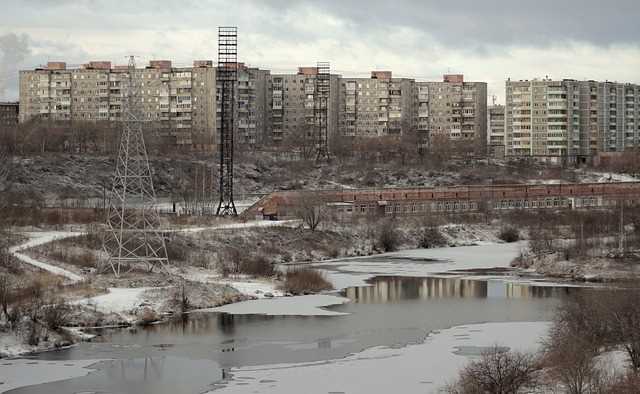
[(21, 373)]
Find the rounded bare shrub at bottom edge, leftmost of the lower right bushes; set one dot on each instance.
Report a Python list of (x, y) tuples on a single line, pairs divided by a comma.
[(497, 372)]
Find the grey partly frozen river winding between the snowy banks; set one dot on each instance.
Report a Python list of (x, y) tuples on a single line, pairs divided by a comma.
[(210, 351)]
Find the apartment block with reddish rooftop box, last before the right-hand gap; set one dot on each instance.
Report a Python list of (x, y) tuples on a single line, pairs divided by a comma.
[(453, 108)]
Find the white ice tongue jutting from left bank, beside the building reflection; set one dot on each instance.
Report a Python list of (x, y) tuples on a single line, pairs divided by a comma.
[(309, 305)]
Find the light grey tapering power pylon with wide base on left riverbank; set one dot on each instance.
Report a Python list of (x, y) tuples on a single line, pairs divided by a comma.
[(133, 224)]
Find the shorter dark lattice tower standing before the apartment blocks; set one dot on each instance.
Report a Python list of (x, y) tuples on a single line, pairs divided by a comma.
[(322, 91)]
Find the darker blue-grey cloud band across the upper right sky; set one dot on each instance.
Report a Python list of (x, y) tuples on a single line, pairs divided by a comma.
[(473, 23)]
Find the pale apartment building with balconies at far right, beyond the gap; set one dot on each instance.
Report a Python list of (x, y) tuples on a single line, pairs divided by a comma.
[(569, 120)]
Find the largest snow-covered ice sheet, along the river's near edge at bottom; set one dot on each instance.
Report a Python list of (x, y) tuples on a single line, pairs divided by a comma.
[(423, 368)]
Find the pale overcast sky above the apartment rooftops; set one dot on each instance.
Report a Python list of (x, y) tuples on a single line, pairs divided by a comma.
[(487, 40)]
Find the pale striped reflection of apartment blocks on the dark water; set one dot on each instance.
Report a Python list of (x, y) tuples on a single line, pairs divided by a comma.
[(396, 289)]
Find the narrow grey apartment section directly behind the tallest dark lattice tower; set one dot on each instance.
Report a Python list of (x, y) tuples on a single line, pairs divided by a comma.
[(252, 98)]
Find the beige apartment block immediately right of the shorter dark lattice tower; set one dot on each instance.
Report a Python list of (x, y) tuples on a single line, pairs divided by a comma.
[(377, 106)]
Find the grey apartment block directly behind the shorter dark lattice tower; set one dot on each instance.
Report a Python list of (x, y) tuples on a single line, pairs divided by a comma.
[(292, 101)]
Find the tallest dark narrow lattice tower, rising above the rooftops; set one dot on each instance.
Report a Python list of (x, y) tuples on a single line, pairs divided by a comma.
[(226, 78)]
